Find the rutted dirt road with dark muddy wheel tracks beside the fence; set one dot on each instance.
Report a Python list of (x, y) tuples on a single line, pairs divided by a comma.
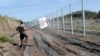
[(53, 44)]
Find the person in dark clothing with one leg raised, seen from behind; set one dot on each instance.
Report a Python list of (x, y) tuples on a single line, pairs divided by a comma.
[(23, 35)]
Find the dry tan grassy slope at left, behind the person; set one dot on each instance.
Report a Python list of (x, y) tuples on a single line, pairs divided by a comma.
[(7, 25)]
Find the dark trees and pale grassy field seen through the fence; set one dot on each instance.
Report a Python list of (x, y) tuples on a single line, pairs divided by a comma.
[(92, 20)]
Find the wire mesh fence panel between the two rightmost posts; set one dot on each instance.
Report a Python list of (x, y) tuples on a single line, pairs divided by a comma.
[(76, 8)]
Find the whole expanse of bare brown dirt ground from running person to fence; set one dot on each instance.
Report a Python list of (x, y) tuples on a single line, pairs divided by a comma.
[(51, 43)]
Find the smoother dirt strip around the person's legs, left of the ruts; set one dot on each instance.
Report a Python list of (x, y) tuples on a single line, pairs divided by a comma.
[(30, 49)]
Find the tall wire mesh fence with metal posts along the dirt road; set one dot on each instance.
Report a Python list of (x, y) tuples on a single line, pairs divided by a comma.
[(72, 19)]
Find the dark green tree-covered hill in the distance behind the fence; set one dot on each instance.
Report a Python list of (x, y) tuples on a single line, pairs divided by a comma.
[(78, 15)]
